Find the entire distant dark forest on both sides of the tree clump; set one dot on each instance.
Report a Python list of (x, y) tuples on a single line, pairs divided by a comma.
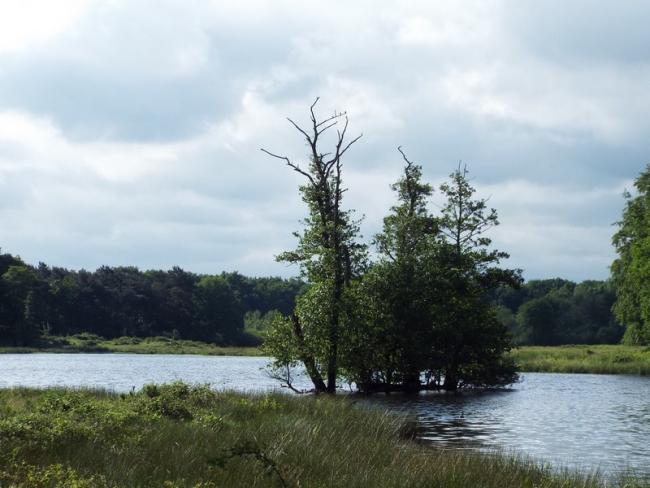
[(232, 309)]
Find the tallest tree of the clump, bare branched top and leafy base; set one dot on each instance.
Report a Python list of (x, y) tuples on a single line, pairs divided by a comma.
[(329, 256)]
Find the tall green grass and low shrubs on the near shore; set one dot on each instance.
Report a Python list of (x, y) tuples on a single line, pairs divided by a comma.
[(179, 435)]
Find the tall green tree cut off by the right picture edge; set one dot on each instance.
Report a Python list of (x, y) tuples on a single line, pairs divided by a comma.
[(631, 270)]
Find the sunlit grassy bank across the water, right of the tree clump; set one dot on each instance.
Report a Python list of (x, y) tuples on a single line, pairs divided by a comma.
[(600, 359)]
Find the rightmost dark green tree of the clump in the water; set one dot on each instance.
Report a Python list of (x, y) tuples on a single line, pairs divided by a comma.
[(471, 343)]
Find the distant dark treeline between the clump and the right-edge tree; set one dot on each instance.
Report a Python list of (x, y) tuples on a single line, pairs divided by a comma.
[(557, 311)]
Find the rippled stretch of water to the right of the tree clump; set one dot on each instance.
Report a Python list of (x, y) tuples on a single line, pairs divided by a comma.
[(581, 421)]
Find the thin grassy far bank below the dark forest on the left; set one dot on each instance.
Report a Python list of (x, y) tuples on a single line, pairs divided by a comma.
[(150, 345)]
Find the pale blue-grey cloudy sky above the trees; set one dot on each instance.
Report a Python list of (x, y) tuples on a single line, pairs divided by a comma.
[(130, 130)]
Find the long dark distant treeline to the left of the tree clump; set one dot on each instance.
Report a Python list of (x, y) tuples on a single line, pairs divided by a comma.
[(124, 301)]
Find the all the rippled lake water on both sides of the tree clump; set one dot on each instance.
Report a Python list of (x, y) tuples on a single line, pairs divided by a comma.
[(584, 421)]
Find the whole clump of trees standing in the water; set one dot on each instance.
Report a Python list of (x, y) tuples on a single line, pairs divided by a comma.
[(420, 317)]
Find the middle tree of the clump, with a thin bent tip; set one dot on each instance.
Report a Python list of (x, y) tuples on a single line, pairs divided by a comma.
[(399, 291)]
